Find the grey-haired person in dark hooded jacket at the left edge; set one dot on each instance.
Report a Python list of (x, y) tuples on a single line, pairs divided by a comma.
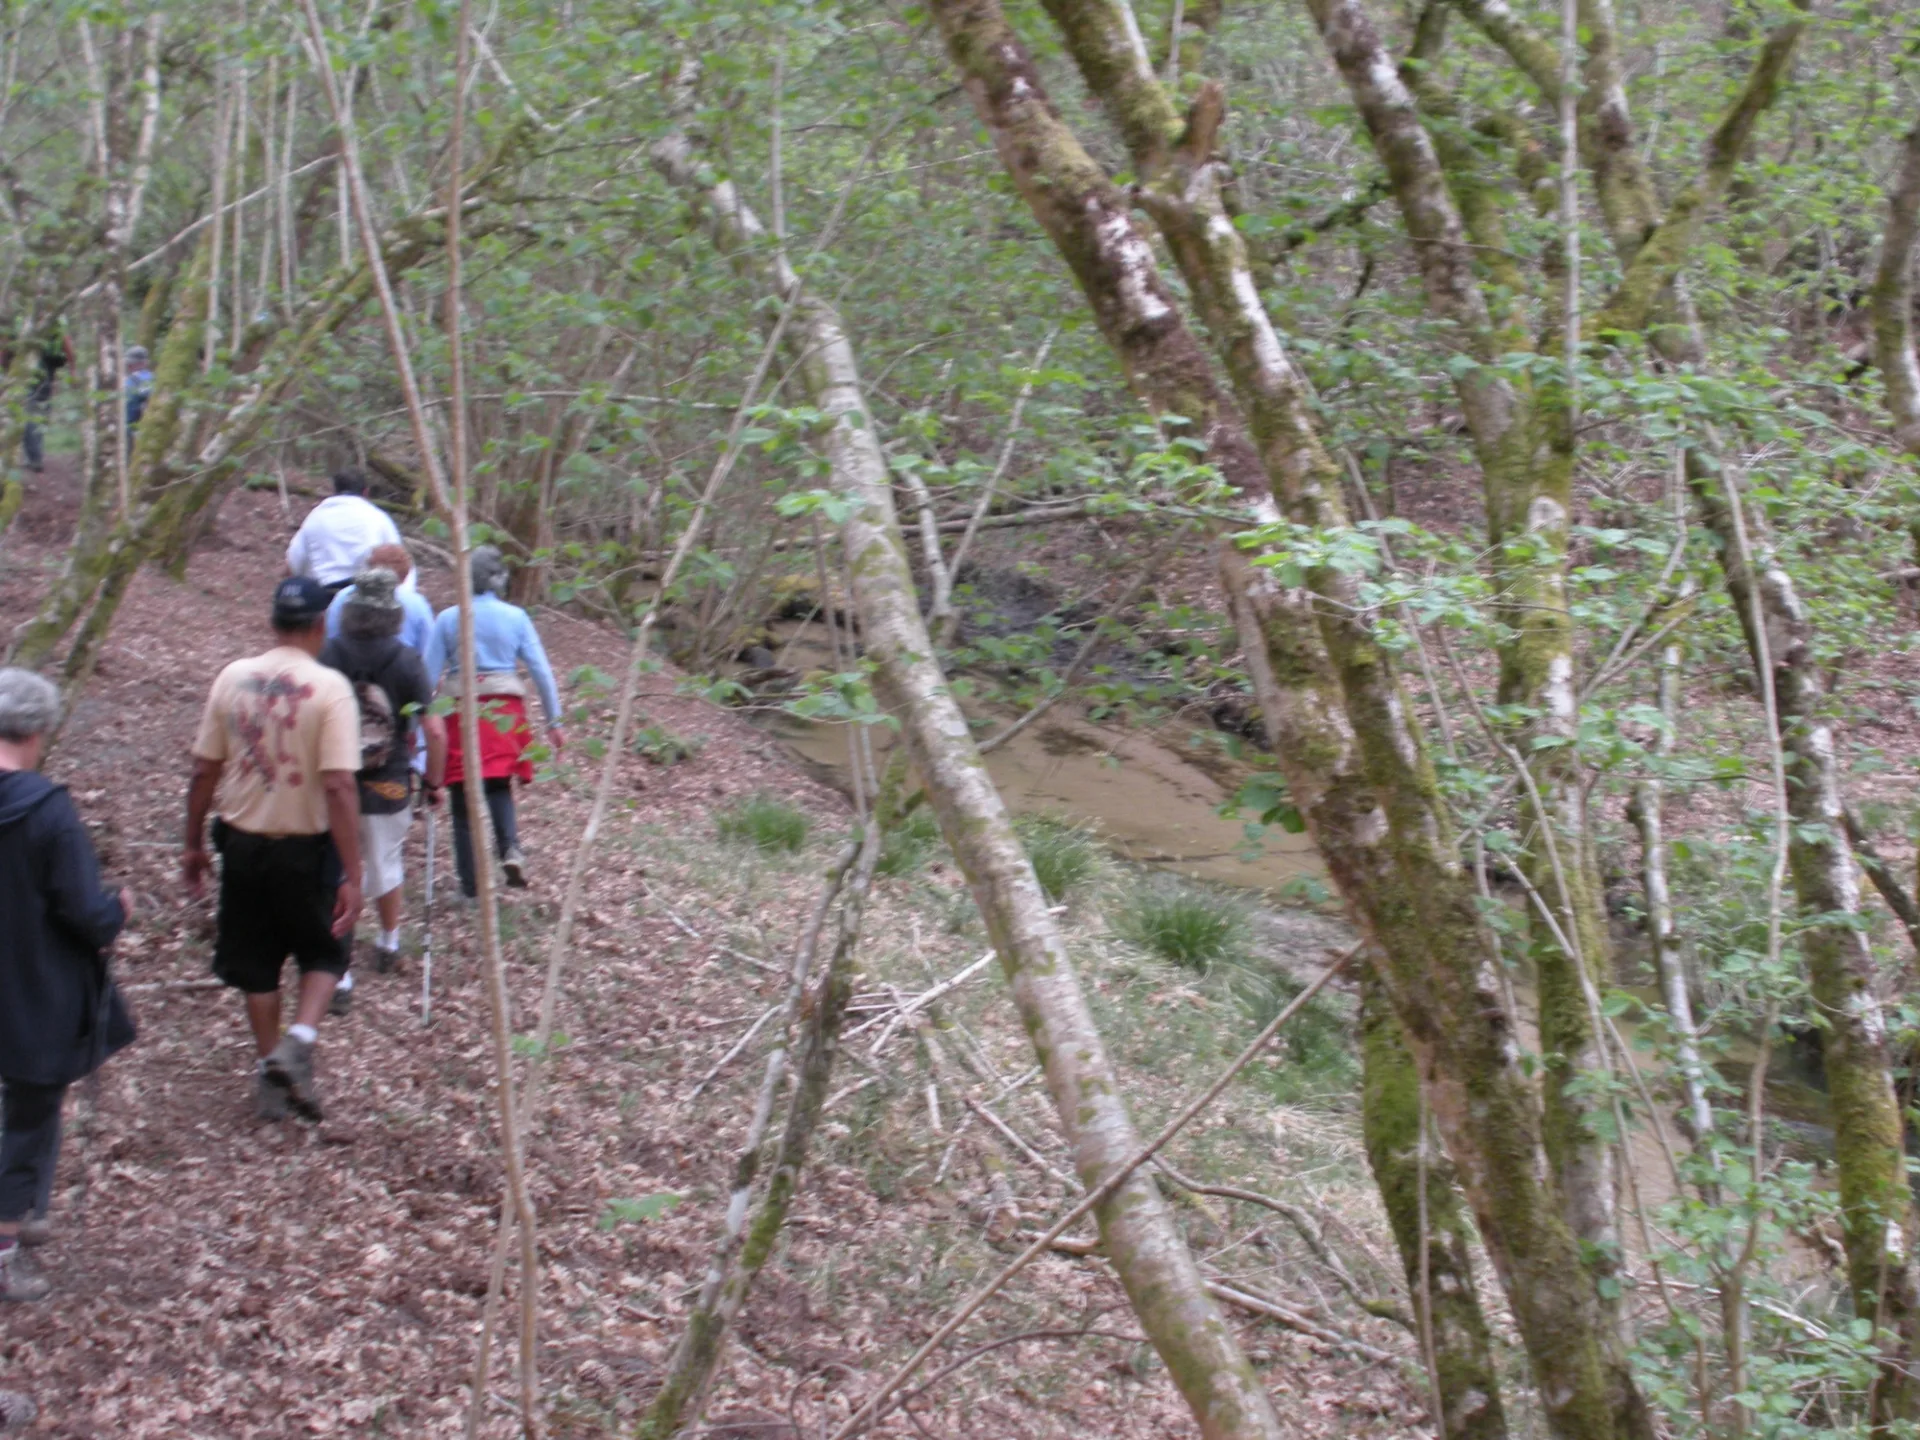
[(60, 1015)]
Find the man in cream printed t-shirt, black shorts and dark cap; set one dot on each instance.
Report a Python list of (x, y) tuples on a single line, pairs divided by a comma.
[(279, 748)]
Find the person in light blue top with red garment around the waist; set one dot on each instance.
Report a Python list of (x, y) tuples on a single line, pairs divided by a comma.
[(504, 640)]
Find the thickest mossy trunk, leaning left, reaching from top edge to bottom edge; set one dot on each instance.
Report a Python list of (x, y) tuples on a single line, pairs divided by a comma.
[(1345, 736)]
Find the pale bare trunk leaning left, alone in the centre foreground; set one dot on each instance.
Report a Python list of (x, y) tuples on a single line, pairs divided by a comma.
[(1138, 1230)]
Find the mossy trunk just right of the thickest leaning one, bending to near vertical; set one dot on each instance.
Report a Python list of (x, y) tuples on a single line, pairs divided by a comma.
[(1524, 441)]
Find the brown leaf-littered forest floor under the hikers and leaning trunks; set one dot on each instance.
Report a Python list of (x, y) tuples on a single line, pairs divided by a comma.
[(222, 1280)]
